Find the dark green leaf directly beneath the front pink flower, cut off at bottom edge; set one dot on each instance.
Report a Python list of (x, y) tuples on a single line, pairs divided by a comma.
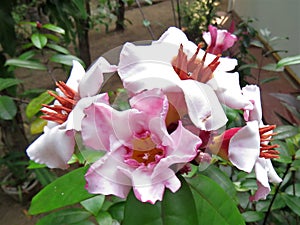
[(173, 208)]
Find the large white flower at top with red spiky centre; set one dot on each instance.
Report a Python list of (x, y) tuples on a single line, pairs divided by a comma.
[(184, 70)]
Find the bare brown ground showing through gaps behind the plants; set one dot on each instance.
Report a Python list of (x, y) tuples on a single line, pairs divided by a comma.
[(161, 17)]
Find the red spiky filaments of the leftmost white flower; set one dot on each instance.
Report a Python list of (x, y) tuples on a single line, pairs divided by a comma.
[(59, 113)]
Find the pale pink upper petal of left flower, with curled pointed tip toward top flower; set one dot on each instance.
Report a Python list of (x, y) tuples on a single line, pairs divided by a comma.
[(93, 79)]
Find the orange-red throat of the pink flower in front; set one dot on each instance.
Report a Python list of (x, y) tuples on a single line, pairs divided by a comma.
[(145, 151)]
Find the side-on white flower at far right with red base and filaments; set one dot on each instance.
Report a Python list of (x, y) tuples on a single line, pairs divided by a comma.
[(247, 147)]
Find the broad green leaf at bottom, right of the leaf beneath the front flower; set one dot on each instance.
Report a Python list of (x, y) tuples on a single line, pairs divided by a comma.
[(213, 205)]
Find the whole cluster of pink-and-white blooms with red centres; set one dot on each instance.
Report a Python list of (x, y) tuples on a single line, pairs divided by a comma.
[(175, 117)]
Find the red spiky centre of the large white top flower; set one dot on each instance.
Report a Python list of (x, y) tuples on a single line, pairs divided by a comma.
[(194, 68)]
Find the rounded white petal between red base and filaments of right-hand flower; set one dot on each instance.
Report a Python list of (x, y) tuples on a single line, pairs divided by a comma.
[(244, 147)]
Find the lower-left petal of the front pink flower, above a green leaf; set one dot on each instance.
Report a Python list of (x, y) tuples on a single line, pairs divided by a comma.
[(105, 177)]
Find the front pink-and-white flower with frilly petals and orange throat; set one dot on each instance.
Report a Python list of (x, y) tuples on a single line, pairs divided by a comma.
[(140, 153)]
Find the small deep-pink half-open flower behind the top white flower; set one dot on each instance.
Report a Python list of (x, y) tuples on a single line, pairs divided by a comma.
[(218, 41)]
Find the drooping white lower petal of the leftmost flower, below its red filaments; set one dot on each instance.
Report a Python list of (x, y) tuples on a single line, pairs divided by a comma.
[(53, 148)]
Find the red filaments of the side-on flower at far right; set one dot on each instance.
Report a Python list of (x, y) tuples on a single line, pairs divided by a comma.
[(267, 151)]
